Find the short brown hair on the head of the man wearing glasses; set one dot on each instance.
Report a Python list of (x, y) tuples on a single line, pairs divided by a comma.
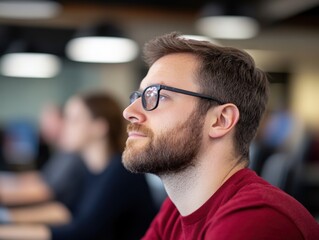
[(225, 73)]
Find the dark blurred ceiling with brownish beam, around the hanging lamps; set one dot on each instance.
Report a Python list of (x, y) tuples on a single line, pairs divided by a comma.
[(286, 24)]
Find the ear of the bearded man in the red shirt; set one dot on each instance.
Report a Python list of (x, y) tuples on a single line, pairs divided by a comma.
[(223, 120)]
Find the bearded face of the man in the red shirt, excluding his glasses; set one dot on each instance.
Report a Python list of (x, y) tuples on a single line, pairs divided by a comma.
[(168, 138)]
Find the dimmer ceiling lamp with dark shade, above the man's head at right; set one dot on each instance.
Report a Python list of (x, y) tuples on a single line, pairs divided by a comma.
[(228, 22)]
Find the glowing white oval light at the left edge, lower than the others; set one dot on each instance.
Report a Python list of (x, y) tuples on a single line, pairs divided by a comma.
[(30, 65)]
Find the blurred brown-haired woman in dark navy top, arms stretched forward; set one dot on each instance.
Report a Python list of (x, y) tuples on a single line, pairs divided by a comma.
[(113, 204)]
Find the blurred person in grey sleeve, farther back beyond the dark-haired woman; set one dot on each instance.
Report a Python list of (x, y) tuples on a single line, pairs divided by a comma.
[(61, 172)]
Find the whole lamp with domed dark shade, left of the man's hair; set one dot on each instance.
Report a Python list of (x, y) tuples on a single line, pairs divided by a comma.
[(101, 42)]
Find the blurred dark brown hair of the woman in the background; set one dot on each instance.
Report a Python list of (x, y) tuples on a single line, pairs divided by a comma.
[(104, 107)]
